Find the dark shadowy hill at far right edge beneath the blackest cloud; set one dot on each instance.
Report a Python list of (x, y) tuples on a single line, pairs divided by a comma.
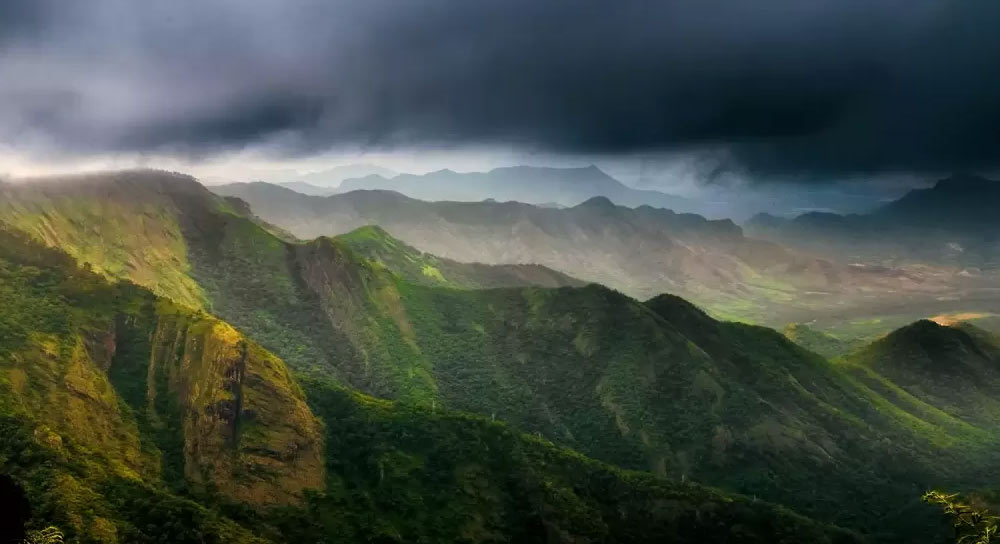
[(953, 222)]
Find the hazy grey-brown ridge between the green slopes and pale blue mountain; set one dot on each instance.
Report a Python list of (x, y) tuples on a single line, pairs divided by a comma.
[(643, 251)]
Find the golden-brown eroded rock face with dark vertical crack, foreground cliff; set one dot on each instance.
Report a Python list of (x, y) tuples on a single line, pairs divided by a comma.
[(248, 433)]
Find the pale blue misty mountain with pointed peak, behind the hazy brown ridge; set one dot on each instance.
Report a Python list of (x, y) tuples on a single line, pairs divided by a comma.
[(530, 184)]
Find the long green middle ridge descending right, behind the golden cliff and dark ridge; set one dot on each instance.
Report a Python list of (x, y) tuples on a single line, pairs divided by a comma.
[(657, 386)]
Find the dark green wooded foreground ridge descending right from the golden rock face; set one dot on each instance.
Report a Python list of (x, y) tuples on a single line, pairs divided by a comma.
[(399, 473)]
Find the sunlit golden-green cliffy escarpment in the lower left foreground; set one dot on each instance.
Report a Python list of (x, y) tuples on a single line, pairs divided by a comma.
[(125, 392)]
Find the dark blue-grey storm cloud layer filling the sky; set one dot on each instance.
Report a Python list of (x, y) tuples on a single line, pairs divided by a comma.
[(777, 86)]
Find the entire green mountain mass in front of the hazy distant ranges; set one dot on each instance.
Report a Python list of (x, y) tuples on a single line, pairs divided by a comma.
[(164, 340)]
